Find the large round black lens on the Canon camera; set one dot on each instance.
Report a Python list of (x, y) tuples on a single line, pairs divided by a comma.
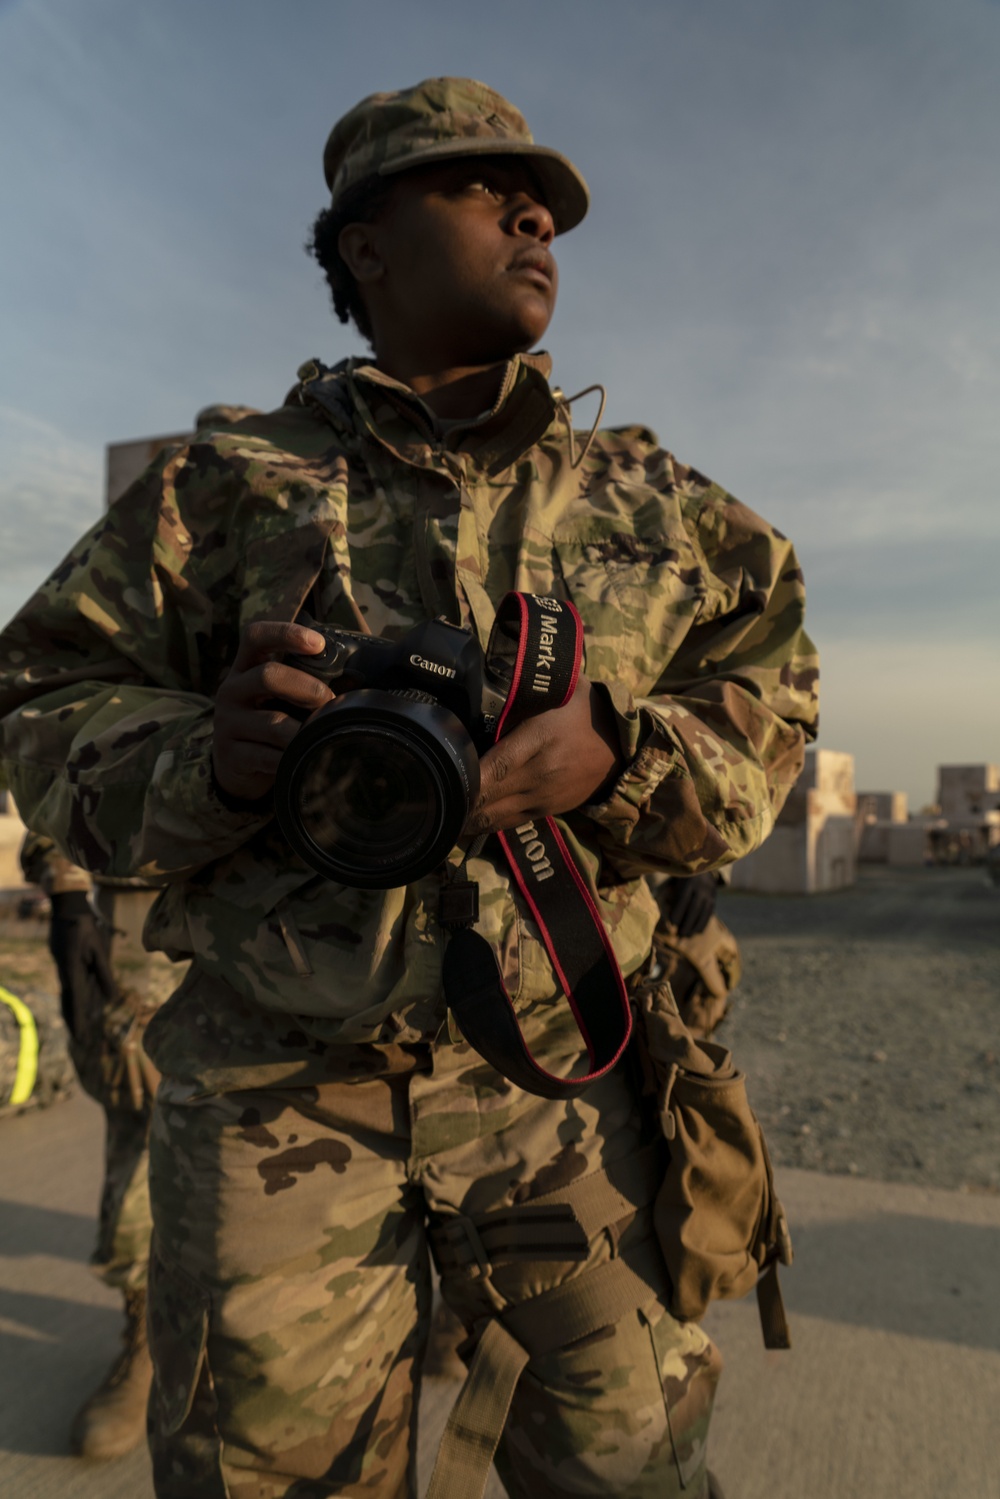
[(376, 789)]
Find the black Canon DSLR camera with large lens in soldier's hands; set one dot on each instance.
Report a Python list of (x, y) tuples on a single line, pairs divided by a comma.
[(376, 788)]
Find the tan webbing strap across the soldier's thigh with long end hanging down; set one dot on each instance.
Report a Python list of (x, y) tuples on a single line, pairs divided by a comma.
[(576, 1309)]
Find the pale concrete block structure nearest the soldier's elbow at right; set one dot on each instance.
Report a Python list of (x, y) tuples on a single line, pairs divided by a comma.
[(813, 845)]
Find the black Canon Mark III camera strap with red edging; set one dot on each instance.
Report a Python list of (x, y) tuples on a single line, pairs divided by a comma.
[(537, 648)]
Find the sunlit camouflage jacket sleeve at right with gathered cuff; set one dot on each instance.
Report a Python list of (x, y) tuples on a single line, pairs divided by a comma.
[(717, 746)]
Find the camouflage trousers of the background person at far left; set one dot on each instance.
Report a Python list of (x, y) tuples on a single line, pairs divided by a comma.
[(113, 1071)]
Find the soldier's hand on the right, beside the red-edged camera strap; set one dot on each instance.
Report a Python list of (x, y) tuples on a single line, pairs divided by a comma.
[(548, 765)]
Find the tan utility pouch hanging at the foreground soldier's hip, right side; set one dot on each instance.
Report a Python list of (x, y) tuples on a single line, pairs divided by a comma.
[(720, 1225)]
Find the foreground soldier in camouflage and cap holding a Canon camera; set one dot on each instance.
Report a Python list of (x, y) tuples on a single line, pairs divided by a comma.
[(322, 1116)]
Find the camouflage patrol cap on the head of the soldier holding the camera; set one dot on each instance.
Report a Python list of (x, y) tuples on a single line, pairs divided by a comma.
[(439, 121)]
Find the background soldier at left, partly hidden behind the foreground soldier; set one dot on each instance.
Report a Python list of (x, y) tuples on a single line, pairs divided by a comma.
[(110, 989)]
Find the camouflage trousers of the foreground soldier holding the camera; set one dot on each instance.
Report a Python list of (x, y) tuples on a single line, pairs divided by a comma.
[(290, 1291)]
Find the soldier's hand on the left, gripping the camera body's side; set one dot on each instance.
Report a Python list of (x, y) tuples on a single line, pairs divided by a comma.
[(254, 726)]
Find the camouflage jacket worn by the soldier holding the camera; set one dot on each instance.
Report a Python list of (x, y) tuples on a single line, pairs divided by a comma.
[(352, 498)]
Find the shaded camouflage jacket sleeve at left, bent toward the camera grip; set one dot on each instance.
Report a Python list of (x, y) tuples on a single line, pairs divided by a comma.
[(109, 675)]
